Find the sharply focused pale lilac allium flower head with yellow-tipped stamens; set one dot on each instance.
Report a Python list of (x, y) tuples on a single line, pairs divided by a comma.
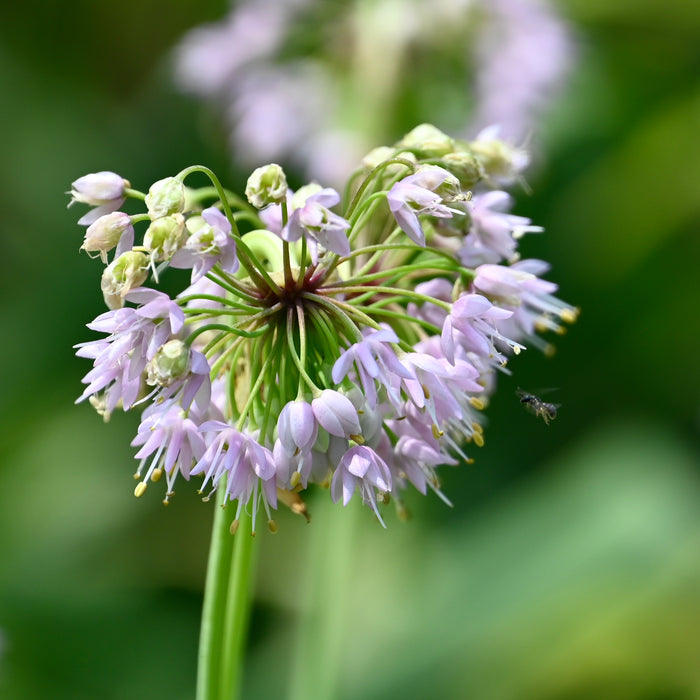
[(350, 342)]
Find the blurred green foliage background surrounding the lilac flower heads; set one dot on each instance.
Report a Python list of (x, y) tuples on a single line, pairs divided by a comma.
[(570, 565)]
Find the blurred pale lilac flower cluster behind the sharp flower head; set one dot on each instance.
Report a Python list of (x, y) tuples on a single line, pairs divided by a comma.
[(287, 96)]
